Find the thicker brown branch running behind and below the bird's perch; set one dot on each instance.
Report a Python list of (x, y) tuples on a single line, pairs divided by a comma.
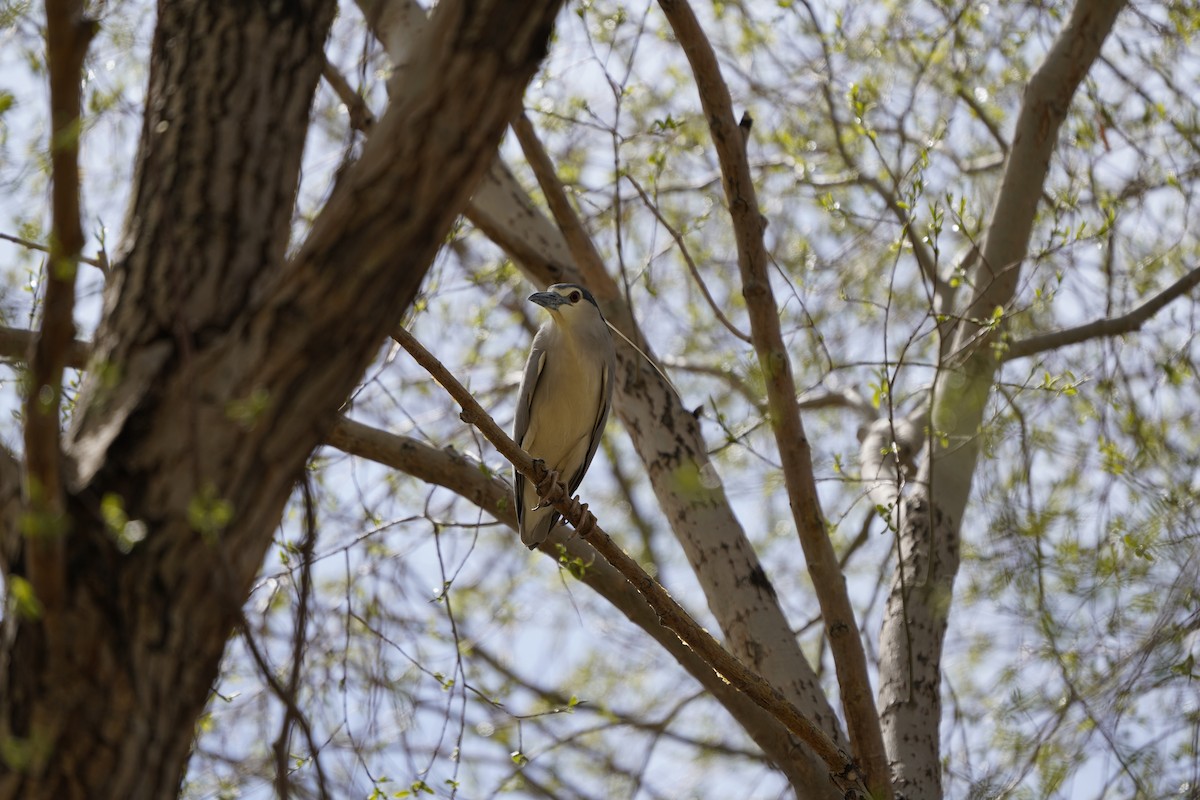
[(464, 477)]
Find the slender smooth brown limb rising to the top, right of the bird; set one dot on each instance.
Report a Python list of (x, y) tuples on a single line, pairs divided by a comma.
[(830, 584)]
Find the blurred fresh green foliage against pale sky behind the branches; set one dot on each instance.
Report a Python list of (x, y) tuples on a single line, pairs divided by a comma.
[(441, 654)]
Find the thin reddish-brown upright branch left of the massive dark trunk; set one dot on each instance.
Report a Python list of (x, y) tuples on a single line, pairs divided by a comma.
[(68, 35)]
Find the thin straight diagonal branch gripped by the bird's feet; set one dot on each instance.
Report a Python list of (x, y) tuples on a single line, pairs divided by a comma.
[(843, 771)]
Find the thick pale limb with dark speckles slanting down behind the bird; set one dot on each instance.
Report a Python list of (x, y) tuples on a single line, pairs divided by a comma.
[(667, 437)]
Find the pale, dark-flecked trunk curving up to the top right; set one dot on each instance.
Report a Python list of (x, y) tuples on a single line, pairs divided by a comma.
[(931, 524)]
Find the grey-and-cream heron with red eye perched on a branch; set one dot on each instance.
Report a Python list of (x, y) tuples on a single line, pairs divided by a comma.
[(565, 400)]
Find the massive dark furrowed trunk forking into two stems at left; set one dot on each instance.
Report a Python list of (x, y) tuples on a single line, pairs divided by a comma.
[(219, 365)]
